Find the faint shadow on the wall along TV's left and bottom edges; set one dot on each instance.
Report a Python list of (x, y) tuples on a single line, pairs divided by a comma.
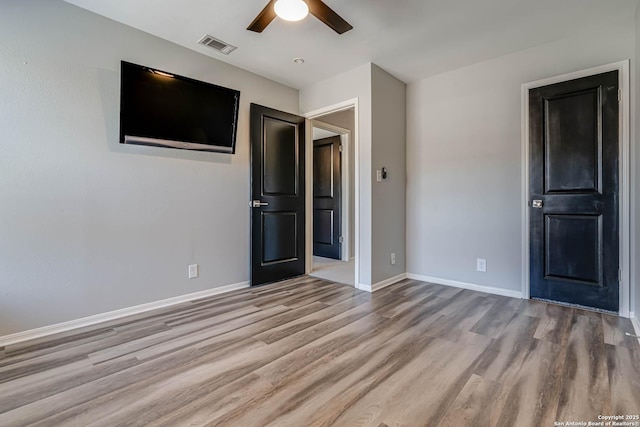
[(110, 95)]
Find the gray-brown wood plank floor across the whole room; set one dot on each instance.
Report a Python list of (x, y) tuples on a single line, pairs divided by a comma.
[(310, 352)]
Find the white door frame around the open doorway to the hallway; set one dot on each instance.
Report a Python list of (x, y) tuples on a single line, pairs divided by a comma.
[(345, 105)]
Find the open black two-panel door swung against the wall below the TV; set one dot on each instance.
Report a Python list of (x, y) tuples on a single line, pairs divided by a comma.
[(277, 191)]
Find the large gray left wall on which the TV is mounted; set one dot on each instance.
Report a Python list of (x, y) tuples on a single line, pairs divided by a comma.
[(88, 225)]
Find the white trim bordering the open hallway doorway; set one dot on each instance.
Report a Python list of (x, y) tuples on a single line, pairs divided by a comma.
[(341, 106)]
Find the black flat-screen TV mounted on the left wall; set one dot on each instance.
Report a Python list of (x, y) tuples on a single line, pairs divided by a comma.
[(166, 110)]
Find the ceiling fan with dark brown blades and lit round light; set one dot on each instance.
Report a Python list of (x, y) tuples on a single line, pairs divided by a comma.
[(295, 10)]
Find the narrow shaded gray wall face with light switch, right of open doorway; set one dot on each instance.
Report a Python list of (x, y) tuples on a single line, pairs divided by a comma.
[(388, 106)]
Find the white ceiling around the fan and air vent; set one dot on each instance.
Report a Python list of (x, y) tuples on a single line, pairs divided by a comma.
[(411, 39)]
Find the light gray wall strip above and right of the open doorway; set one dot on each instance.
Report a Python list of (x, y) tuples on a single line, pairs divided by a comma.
[(351, 84)]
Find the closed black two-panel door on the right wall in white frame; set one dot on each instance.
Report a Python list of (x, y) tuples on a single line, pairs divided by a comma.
[(573, 192)]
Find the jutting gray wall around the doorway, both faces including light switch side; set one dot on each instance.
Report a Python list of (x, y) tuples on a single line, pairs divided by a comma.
[(381, 127)]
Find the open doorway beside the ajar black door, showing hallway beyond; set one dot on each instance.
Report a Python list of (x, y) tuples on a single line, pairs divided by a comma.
[(332, 194)]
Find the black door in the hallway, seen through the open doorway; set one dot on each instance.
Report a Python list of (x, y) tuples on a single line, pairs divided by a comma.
[(327, 197)]
